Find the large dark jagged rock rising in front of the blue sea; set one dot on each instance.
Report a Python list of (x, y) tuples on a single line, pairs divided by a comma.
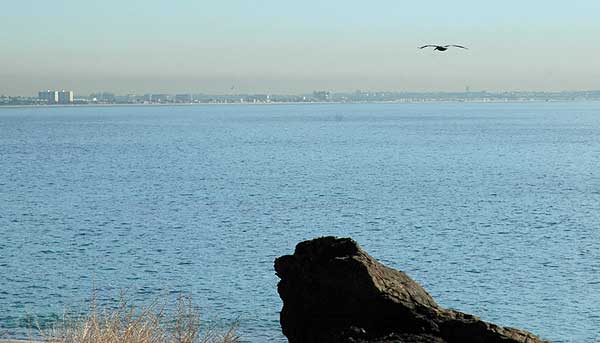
[(334, 292)]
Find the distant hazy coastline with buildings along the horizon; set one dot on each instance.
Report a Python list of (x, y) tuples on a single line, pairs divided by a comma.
[(107, 98)]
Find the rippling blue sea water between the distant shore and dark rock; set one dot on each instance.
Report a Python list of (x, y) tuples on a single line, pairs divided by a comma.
[(493, 208)]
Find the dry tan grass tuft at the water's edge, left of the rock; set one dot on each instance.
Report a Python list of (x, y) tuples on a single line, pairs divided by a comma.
[(130, 324)]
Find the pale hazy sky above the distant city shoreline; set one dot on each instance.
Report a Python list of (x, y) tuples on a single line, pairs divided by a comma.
[(269, 46)]
